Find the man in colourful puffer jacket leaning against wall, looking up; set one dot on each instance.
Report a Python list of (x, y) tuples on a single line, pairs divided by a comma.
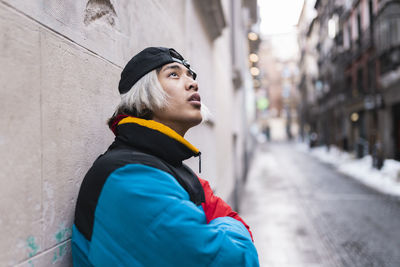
[(139, 205)]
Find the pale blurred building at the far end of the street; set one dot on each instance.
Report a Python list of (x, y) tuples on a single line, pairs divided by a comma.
[(279, 86)]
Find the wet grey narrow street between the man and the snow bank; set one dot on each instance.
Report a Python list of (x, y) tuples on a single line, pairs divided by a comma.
[(304, 213)]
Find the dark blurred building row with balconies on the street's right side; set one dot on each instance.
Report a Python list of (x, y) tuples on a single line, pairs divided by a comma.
[(356, 85)]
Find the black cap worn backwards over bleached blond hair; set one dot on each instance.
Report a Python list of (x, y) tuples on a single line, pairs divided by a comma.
[(146, 61)]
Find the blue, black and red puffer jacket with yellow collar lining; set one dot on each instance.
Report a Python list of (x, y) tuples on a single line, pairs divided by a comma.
[(139, 205)]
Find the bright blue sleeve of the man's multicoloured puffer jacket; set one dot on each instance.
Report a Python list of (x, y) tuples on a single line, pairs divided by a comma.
[(145, 218)]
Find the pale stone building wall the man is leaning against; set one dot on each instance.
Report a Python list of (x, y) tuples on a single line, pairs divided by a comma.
[(61, 63)]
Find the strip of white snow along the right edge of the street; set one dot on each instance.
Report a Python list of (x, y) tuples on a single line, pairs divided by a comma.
[(386, 180)]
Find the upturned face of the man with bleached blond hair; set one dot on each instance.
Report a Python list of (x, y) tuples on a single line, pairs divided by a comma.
[(183, 109)]
